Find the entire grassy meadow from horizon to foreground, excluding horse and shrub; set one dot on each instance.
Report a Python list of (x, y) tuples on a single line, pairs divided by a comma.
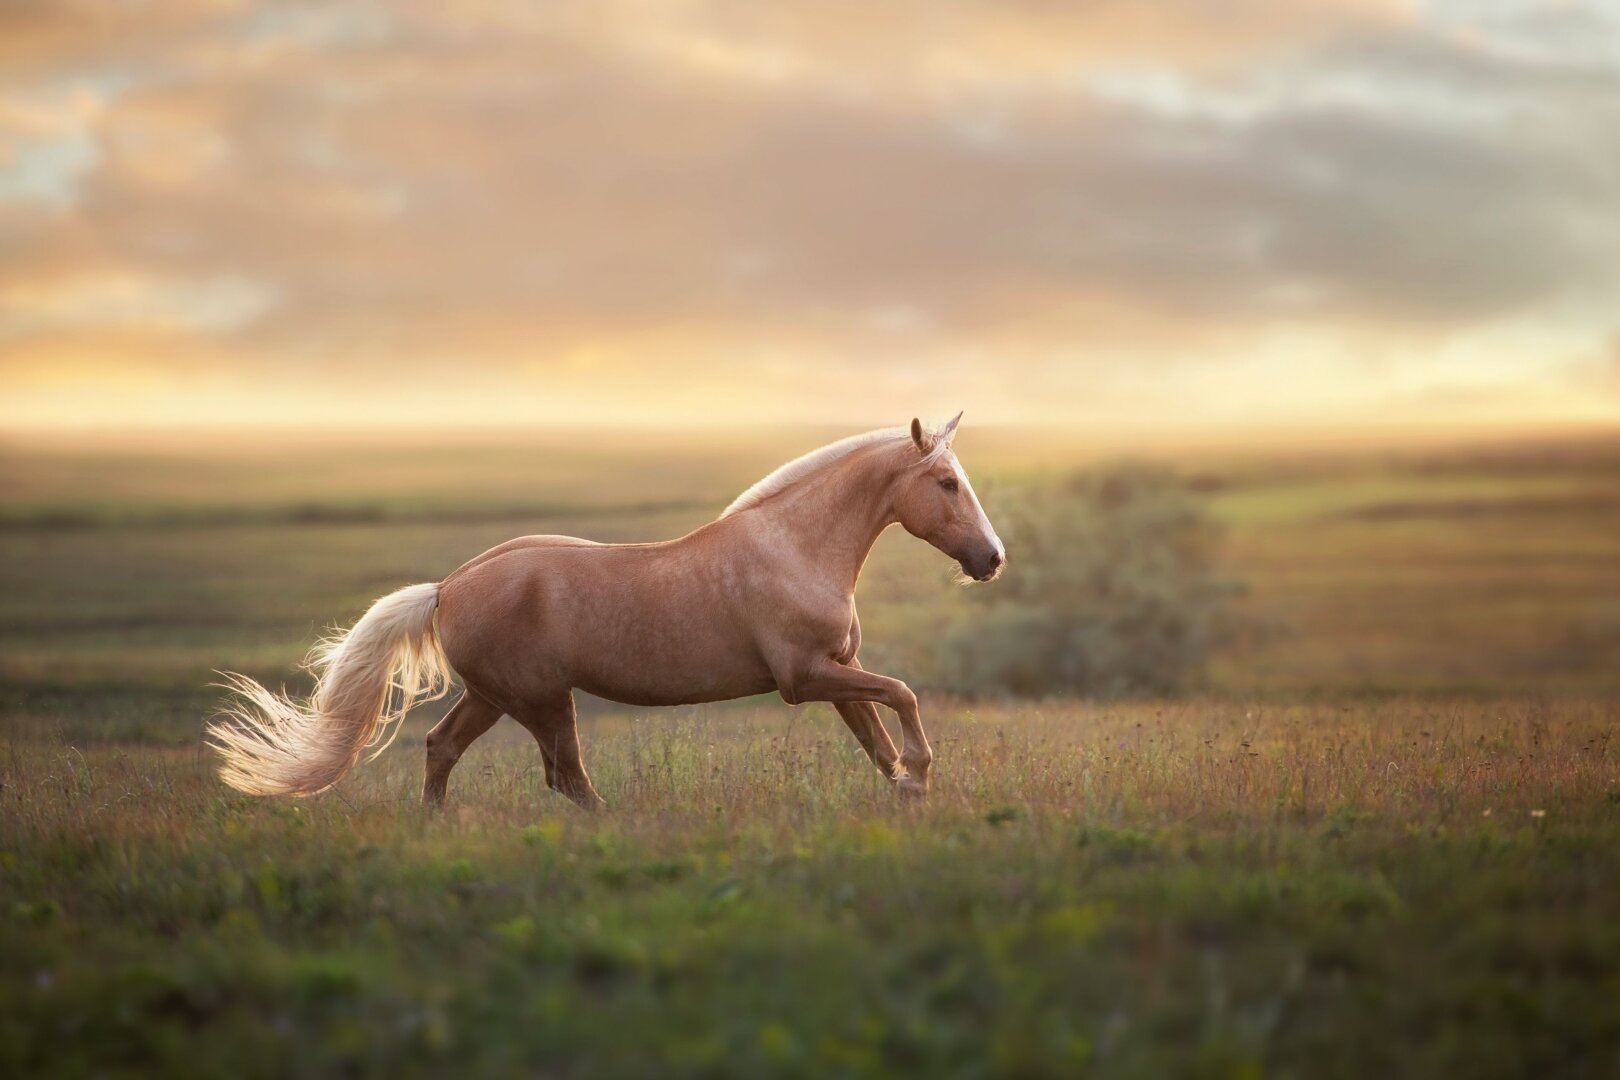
[(1383, 836)]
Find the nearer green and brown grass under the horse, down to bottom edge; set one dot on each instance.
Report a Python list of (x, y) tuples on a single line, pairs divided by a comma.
[(1195, 890)]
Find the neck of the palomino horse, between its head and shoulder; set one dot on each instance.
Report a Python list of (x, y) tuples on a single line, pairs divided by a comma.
[(837, 514)]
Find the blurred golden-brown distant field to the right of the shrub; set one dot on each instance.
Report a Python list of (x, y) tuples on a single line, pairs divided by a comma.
[(1464, 572)]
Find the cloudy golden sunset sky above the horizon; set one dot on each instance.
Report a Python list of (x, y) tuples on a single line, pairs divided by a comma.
[(1102, 216)]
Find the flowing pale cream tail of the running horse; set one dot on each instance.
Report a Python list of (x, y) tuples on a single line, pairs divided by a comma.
[(367, 681)]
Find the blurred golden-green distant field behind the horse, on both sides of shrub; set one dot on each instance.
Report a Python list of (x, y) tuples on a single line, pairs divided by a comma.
[(137, 574)]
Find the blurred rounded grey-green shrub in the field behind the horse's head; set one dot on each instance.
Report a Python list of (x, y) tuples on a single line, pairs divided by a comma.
[(1112, 590)]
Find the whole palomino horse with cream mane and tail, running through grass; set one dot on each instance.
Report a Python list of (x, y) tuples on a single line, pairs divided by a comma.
[(764, 598)]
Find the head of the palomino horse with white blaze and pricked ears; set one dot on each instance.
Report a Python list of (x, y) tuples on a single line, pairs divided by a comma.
[(937, 504)]
